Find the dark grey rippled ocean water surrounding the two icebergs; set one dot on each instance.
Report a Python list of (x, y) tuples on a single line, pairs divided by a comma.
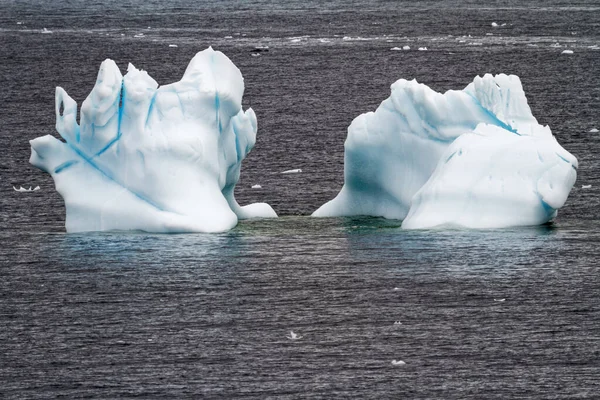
[(500, 314)]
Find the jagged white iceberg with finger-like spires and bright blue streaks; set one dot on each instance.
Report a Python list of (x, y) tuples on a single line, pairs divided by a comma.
[(155, 159)]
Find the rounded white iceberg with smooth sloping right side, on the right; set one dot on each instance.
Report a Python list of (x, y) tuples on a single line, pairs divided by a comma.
[(473, 158)]
